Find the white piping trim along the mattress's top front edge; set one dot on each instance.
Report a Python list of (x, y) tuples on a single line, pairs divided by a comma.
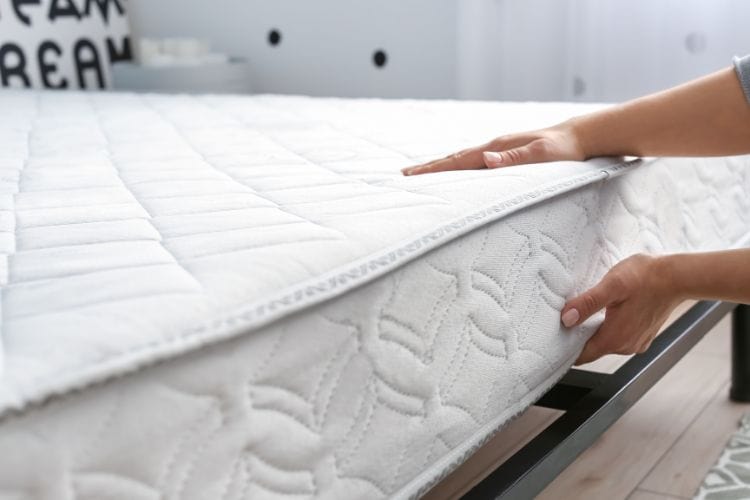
[(234, 323)]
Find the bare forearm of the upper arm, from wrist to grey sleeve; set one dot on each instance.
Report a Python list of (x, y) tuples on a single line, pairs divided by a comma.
[(706, 117)]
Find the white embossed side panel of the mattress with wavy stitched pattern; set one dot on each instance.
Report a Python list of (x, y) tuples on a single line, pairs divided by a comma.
[(380, 392)]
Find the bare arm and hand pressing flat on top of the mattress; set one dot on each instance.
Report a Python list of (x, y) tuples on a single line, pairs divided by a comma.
[(706, 117)]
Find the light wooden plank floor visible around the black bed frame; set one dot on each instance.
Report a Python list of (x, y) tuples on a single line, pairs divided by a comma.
[(659, 450)]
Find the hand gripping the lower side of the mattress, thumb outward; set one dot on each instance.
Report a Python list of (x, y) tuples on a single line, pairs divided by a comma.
[(638, 294)]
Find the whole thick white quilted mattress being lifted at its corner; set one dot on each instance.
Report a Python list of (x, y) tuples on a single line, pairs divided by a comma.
[(230, 297)]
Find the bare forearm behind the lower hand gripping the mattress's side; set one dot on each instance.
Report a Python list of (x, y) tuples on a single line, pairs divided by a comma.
[(723, 275)]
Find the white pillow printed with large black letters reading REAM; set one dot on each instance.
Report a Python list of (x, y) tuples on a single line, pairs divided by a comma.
[(61, 44)]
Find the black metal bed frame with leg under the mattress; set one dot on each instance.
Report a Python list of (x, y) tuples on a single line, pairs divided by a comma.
[(594, 401)]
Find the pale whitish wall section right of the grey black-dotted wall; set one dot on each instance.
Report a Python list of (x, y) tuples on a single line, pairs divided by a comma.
[(594, 50)]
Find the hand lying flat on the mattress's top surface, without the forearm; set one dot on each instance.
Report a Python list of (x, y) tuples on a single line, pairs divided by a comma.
[(556, 143)]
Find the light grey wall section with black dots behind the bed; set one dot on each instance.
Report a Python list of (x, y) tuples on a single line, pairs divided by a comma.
[(327, 45)]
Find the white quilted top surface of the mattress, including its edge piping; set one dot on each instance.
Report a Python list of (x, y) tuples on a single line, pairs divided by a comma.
[(136, 228)]
